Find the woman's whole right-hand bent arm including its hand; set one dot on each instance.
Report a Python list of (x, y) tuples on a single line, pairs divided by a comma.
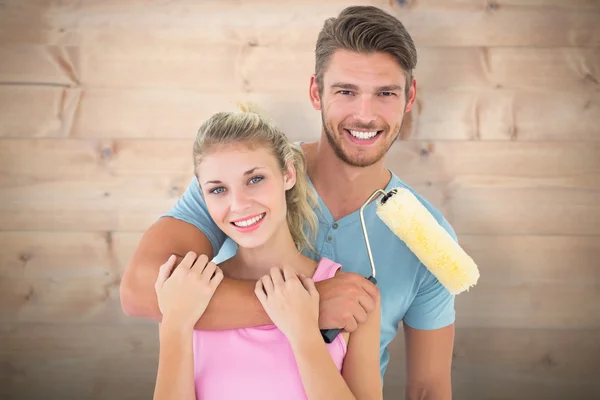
[(292, 302)]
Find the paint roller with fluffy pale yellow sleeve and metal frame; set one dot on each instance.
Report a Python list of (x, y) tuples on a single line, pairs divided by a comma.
[(413, 224)]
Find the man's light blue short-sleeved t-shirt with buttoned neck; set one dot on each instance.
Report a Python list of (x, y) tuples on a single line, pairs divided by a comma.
[(409, 292)]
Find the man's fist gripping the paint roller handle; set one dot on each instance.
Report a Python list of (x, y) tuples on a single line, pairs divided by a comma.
[(345, 301)]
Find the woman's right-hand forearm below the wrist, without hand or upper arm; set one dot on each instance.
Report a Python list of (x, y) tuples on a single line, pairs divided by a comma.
[(319, 374)]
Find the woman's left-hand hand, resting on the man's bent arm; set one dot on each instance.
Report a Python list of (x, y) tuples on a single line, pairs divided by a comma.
[(184, 294)]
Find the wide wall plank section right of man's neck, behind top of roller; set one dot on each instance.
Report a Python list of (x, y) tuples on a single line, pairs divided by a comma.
[(506, 194)]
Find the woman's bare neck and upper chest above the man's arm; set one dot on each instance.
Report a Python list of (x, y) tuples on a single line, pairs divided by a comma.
[(280, 250)]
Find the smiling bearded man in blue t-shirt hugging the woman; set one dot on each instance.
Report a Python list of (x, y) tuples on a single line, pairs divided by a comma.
[(363, 86)]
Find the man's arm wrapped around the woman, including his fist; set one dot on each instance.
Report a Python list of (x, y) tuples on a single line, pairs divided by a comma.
[(345, 300)]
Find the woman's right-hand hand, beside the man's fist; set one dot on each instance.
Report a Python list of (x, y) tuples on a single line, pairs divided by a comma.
[(291, 301)]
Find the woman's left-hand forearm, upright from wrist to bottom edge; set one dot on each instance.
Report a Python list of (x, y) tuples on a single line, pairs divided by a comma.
[(175, 378)]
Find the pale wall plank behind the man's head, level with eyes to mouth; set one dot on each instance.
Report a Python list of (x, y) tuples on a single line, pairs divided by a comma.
[(499, 115)]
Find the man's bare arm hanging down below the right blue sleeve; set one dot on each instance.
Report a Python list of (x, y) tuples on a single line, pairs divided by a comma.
[(428, 363)]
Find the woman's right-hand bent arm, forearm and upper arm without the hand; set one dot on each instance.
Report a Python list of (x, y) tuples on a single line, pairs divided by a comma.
[(361, 376)]
